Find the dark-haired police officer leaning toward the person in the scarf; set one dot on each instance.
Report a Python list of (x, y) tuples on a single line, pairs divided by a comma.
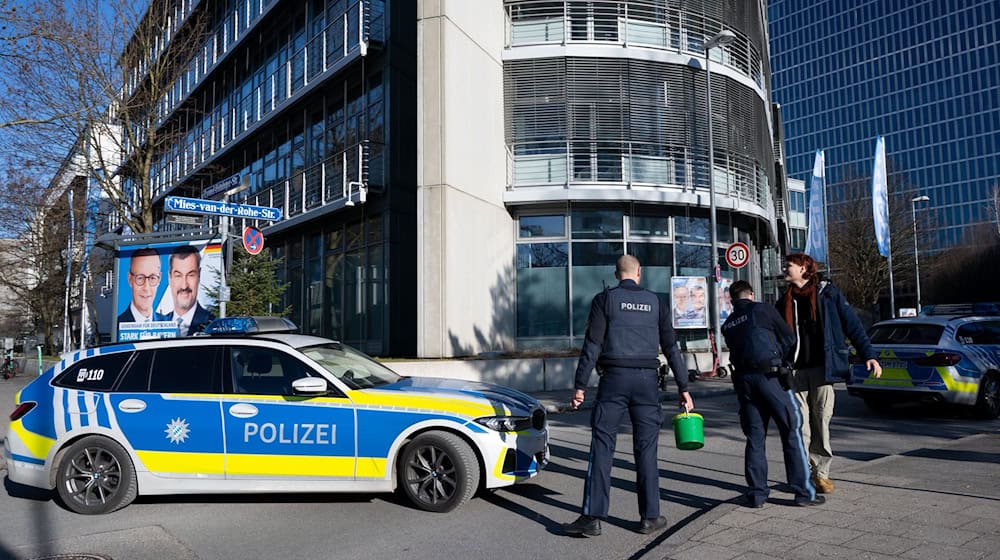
[(759, 342)]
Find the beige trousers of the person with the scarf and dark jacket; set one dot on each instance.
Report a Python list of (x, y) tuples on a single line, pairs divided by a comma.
[(815, 398)]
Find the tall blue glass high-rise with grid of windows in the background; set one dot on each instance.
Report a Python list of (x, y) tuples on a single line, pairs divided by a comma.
[(924, 74)]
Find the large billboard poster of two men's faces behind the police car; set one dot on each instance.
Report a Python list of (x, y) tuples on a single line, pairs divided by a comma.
[(161, 289)]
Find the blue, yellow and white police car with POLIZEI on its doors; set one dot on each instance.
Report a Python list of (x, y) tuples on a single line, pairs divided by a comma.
[(255, 408)]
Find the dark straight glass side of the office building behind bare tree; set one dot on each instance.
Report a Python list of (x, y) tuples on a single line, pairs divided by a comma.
[(294, 98)]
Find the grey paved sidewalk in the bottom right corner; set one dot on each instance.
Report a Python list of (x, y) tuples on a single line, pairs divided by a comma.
[(935, 504)]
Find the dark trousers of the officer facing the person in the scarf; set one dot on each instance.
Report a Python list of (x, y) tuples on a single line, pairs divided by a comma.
[(762, 399)]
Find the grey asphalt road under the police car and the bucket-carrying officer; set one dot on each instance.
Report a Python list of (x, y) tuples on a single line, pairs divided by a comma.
[(519, 522)]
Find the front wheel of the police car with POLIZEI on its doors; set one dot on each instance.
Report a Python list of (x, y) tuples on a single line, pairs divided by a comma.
[(438, 471)]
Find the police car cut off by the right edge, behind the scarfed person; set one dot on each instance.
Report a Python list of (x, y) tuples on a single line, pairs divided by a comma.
[(951, 353)]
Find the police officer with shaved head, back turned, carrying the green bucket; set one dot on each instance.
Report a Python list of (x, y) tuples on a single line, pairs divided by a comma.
[(625, 331)]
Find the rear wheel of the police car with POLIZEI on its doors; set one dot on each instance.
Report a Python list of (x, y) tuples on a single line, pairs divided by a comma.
[(96, 476)]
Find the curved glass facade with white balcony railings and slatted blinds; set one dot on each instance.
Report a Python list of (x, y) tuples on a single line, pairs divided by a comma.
[(606, 120)]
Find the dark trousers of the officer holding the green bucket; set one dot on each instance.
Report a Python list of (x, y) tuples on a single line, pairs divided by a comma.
[(634, 391)]
